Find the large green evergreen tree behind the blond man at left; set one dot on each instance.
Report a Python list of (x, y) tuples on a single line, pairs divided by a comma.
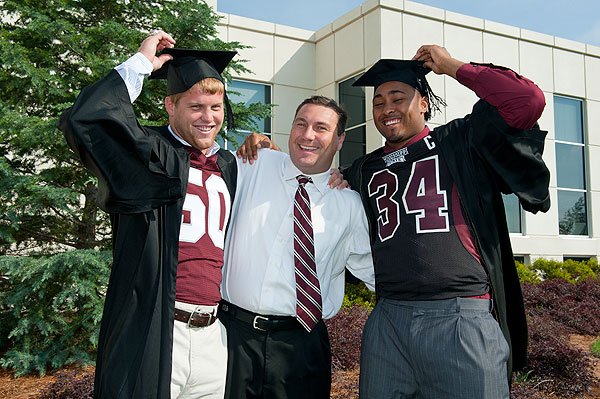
[(50, 225)]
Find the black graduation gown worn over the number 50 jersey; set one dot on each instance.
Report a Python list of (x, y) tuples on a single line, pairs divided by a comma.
[(142, 177)]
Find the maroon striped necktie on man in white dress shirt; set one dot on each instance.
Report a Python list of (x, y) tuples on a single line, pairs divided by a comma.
[(308, 291)]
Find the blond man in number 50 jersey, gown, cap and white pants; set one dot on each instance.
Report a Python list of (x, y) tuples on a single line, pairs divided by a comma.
[(168, 191)]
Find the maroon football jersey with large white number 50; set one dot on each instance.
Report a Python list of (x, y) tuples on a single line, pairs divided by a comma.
[(202, 235)]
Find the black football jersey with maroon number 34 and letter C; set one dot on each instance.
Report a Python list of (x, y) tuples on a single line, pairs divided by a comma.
[(422, 246)]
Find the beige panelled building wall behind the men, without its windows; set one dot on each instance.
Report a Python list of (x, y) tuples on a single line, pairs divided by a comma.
[(299, 63)]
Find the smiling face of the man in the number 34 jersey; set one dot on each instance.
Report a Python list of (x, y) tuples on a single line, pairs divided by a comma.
[(398, 112)]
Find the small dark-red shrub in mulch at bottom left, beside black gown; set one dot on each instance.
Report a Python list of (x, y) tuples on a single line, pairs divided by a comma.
[(70, 384)]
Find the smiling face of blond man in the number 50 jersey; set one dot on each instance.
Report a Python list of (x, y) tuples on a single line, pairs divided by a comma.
[(196, 117)]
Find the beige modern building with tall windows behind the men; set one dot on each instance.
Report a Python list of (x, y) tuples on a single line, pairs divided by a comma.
[(290, 64)]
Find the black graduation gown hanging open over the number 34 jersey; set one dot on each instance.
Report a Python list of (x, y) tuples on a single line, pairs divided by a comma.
[(486, 157)]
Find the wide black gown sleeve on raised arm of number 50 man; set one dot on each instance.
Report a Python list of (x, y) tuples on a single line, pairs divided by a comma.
[(137, 169)]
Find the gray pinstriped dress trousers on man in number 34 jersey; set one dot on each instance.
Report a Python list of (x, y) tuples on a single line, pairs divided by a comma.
[(433, 350)]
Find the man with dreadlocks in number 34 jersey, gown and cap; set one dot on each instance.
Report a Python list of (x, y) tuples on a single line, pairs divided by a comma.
[(450, 320)]
